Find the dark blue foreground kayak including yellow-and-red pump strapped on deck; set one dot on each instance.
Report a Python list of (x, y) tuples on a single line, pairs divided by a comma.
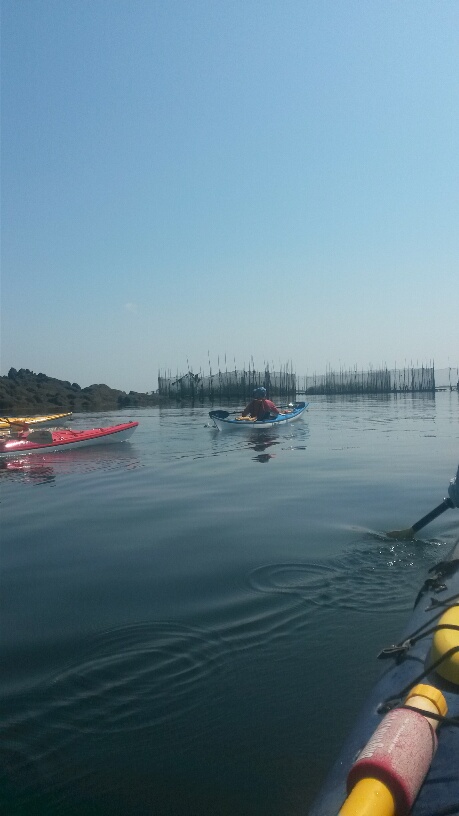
[(427, 657)]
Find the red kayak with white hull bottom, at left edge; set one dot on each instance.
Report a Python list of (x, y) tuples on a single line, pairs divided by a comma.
[(62, 439)]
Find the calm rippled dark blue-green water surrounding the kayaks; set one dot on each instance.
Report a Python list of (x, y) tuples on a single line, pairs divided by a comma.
[(189, 620)]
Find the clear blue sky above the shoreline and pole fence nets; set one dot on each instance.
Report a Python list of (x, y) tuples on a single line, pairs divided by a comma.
[(266, 179)]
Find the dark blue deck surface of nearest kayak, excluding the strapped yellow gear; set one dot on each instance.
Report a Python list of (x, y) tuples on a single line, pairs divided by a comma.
[(408, 666)]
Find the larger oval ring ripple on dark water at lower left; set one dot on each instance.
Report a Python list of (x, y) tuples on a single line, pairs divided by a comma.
[(138, 676)]
